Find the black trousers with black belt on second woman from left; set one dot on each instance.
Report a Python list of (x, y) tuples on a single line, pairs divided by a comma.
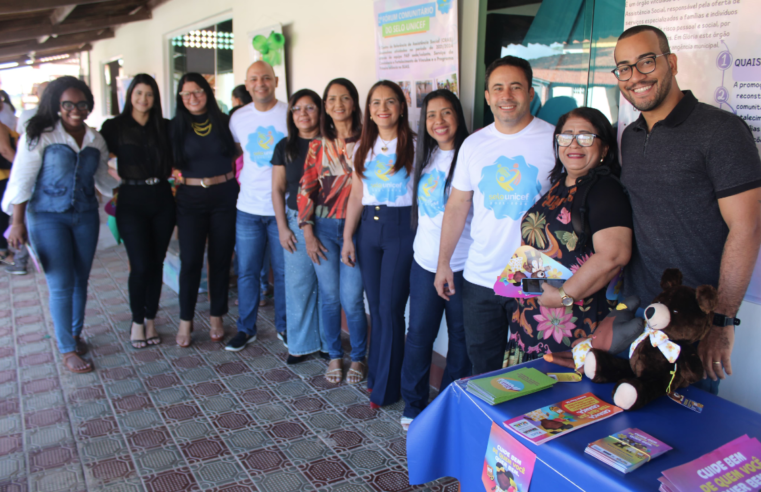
[(145, 216)]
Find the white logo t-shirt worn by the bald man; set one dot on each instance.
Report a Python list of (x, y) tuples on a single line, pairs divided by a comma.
[(257, 133)]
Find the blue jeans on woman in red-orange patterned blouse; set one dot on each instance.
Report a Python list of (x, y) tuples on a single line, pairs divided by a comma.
[(340, 286)]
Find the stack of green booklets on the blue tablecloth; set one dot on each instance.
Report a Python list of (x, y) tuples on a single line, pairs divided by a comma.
[(509, 385)]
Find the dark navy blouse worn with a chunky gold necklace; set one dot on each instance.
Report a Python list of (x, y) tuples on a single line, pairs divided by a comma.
[(205, 156)]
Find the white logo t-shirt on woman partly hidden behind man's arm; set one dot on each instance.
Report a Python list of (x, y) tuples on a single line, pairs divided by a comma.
[(431, 200)]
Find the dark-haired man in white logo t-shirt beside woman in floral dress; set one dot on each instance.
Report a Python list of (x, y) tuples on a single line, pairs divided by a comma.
[(501, 170)]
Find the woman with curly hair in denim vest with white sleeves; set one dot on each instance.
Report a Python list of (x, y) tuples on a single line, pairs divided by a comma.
[(59, 163)]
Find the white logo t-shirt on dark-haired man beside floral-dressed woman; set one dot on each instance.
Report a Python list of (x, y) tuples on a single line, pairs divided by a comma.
[(507, 175)]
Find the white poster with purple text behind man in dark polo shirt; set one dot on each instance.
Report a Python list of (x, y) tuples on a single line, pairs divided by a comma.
[(719, 59)]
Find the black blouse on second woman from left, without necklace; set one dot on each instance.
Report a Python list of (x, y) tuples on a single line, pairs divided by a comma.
[(138, 148)]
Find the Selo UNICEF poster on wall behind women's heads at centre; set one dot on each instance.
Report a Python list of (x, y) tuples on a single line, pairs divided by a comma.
[(416, 47)]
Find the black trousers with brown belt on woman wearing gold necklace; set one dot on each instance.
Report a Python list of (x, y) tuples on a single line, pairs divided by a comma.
[(206, 214)]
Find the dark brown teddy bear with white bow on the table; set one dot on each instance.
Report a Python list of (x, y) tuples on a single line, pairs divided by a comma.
[(664, 357)]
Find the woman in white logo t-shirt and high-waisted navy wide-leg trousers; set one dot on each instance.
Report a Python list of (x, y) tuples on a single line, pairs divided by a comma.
[(381, 196)]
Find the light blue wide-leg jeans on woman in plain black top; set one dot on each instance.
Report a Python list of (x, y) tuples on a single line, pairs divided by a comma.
[(302, 313)]
